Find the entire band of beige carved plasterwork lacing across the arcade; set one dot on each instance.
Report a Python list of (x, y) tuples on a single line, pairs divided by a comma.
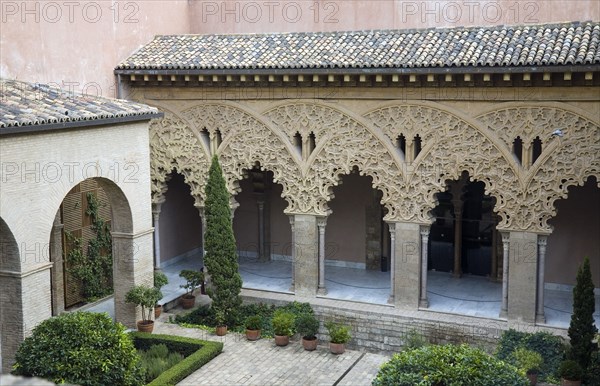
[(450, 144)]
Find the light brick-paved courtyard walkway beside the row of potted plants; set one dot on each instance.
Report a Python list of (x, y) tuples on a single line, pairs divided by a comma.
[(262, 363)]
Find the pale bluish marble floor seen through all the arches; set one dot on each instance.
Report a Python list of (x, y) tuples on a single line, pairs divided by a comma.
[(469, 295)]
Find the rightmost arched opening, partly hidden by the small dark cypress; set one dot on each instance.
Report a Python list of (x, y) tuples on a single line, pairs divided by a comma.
[(576, 227)]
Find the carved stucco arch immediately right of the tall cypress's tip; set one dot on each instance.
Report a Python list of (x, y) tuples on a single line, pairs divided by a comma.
[(247, 141)]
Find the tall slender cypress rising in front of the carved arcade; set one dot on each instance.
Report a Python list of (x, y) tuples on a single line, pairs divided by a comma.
[(221, 254)]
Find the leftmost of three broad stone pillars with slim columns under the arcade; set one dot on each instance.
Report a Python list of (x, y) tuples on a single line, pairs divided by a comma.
[(306, 270)]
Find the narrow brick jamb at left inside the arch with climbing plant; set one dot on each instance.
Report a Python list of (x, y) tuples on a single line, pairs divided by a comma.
[(57, 271)]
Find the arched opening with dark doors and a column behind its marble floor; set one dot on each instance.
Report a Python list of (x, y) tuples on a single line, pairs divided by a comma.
[(463, 264)]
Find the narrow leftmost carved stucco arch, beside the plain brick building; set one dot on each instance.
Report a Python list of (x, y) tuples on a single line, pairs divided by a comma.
[(174, 146)]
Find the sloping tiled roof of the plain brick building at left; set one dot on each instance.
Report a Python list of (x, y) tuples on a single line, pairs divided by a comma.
[(27, 106)]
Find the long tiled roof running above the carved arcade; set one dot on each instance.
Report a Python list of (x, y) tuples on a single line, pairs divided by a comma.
[(496, 46)]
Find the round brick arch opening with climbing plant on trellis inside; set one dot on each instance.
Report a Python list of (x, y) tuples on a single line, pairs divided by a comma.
[(81, 249)]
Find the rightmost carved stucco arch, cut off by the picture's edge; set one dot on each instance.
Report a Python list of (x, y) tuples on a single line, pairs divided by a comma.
[(564, 162)]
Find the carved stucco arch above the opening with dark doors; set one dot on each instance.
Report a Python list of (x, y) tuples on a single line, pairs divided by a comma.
[(451, 143)]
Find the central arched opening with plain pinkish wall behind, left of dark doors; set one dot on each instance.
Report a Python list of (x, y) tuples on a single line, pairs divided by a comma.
[(357, 243)]
